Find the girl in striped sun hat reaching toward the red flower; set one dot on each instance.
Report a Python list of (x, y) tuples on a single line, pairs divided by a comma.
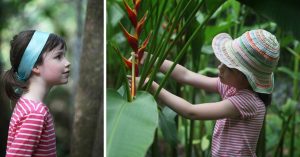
[(245, 84)]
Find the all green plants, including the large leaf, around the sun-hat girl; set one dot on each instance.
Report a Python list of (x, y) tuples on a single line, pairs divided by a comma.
[(182, 31)]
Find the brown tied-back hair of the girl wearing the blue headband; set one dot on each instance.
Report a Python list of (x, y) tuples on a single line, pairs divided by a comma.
[(18, 45)]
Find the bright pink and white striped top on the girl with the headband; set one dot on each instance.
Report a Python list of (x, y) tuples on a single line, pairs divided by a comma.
[(31, 131)]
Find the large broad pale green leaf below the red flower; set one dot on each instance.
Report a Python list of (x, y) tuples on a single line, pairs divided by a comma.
[(130, 125)]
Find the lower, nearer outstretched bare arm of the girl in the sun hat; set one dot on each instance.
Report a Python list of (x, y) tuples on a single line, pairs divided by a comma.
[(211, 111)]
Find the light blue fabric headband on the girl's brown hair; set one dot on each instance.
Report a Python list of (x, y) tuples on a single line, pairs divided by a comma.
[(31, 54)]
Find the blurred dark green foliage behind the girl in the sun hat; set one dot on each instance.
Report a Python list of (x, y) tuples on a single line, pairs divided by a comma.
[(282, 120)]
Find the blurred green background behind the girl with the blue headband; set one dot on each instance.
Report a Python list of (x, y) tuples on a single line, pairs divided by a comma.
[(59, 17)]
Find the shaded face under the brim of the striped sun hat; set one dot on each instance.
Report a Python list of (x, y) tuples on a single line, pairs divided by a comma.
[(232, 77)]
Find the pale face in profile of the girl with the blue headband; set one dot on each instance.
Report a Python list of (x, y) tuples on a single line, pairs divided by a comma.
[(55, 68)]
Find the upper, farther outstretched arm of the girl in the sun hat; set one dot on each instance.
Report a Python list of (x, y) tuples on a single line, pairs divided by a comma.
[(185, 76)]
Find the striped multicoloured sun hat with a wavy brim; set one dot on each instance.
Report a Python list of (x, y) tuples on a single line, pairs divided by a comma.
[(255, 54)]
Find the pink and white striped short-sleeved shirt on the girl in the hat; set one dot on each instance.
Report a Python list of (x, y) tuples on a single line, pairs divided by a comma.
[(238, 136)]
